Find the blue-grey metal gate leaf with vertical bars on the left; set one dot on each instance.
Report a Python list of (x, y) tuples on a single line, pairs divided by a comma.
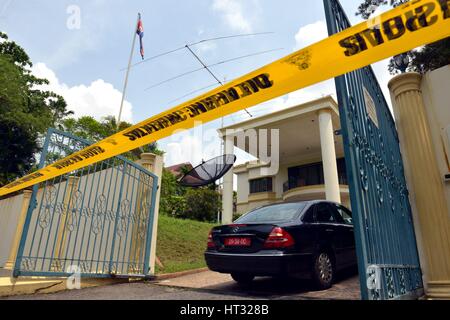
[(96, 221)]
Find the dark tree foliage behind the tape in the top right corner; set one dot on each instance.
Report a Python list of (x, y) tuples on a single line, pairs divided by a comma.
[(427, 58)]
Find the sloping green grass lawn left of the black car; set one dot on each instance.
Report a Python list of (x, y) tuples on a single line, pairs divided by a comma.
[(181, 244)]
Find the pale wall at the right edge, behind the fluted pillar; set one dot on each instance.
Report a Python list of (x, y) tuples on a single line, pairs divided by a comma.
[(436, 95)]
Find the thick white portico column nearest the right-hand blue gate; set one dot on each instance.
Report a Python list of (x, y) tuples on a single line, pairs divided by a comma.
[(330, 172)]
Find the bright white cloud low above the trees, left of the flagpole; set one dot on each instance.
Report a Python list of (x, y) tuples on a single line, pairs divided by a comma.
[(99, 99)]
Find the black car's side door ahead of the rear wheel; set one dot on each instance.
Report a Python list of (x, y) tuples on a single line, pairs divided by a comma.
[(346, 232)]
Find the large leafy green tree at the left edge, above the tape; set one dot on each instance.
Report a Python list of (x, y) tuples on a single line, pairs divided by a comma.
[(26, 112)]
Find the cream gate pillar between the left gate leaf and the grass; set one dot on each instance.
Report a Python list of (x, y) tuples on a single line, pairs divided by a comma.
[(154, 163)]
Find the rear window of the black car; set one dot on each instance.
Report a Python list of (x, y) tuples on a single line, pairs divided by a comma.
[(276, 213)]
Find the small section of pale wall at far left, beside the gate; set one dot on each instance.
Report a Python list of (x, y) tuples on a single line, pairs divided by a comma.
[(9, 216)]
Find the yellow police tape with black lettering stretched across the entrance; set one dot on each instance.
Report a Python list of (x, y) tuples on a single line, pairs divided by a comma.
[(411, 25)]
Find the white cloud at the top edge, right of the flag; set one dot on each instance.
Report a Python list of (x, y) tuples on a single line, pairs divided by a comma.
[(233, 14)]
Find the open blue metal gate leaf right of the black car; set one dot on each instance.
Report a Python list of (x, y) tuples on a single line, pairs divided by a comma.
[(386, 246)]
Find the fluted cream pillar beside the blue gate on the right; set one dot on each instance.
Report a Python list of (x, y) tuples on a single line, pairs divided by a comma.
[(425, 182)]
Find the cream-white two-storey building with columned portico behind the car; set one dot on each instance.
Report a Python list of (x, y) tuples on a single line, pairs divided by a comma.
[(311, 159)]
